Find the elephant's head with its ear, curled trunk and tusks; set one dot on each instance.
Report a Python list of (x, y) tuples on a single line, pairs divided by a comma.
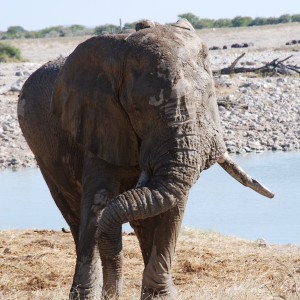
[(145, 100)]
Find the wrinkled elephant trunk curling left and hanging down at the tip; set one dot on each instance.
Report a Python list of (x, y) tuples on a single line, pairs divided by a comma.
[(172, 174)]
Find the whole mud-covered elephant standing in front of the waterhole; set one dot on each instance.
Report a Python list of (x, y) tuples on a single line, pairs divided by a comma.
[(121, 129)]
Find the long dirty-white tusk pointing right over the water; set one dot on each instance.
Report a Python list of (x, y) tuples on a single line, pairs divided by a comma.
[(237, 173)]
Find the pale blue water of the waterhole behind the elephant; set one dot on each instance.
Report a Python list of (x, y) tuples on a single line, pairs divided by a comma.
[(217, 202)]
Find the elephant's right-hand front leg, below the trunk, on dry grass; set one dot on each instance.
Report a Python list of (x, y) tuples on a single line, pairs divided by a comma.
[(157, 237)]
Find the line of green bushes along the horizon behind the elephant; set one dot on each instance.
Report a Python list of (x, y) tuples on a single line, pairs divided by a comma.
[(17, 32)]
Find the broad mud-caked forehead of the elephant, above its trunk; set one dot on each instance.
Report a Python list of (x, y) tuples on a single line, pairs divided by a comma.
[(174, 69)]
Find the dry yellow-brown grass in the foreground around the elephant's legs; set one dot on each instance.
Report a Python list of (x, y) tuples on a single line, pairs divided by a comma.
[(39, 265)]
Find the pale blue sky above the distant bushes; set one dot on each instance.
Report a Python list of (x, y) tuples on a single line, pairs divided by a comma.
[(39, 14)]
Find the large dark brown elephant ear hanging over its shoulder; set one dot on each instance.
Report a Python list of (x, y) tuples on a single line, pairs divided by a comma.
[(85, 98)]
